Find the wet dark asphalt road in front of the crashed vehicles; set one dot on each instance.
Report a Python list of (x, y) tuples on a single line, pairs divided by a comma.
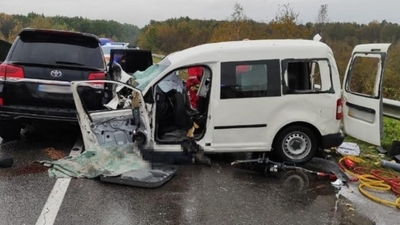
[(197, 194)]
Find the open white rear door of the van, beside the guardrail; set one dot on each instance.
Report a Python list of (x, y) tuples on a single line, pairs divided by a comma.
[(362, 93)]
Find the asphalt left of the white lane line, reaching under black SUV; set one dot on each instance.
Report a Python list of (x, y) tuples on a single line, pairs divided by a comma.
[(25, 187)]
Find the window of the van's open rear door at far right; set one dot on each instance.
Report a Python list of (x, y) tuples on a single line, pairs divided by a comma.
[(363, 76)]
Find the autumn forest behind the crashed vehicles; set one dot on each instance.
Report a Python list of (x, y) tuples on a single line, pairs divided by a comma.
[(175, 34)]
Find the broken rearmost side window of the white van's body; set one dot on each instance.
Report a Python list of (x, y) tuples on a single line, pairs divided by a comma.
[(308, 76)]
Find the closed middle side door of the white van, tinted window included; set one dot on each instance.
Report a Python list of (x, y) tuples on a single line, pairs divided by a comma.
[(240, 107)]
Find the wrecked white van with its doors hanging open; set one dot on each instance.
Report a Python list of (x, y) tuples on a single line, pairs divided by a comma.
[(279, 96)]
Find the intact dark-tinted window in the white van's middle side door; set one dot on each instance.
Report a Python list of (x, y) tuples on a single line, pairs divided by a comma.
[(244, 80)]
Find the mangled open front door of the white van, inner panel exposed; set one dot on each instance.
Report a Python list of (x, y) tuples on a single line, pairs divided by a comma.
[(124, 115)]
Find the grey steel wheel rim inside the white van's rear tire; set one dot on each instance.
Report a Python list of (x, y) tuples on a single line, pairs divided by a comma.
[(296, 145)]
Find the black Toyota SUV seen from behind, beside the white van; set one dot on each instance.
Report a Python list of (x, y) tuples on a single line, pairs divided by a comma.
[(36, 73)]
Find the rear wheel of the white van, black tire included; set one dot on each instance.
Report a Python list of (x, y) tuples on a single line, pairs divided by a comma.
[(297, 144)]
